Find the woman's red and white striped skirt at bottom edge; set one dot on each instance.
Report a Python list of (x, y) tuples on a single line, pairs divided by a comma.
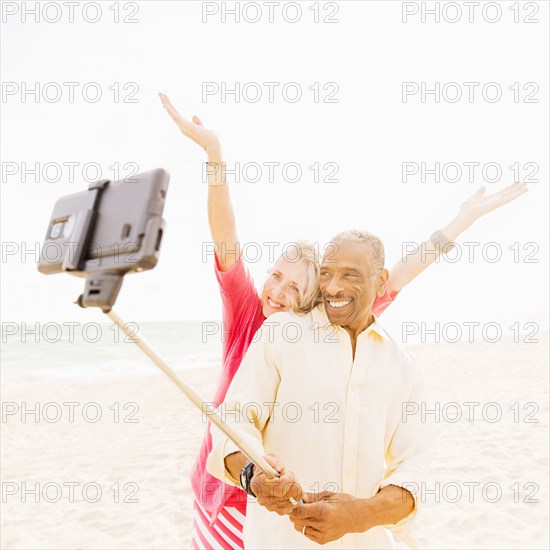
[(226, 533)]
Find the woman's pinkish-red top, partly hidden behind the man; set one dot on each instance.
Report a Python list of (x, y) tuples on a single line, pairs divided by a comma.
[(242, 317)]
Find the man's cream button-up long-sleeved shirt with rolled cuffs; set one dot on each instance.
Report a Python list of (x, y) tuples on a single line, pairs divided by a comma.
[(335, 421)]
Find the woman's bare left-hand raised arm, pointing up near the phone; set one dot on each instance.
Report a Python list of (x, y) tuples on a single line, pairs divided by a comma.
[(221, 218)]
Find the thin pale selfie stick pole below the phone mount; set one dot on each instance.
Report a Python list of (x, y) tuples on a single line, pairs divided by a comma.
[(197, 400)]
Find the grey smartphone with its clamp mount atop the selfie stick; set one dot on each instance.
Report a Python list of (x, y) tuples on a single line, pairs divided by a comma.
[(105, 232)]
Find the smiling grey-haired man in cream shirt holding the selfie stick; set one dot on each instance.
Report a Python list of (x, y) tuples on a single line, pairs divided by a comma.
[(325, 391)]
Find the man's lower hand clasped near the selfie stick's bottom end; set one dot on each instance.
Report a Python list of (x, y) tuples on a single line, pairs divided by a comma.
[(328, 516)]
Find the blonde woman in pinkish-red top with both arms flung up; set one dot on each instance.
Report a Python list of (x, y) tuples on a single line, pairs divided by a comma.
[(291, 285)]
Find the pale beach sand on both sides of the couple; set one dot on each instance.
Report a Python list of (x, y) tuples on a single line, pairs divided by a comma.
[(148, 461)]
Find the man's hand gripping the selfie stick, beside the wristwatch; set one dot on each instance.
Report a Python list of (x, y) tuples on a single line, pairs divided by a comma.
[(275, 493)]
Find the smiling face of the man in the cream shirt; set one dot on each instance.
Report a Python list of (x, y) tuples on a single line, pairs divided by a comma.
[(348, 285)]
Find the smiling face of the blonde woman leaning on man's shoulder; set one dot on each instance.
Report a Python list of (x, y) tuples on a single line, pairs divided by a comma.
[(281, 289)]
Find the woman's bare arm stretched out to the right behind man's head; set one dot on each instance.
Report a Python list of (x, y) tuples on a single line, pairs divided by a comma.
[(411, 265)]
